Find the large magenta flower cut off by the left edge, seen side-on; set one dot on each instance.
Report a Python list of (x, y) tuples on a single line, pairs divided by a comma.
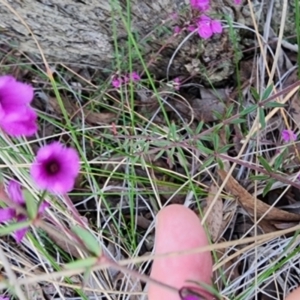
[(16, 116)]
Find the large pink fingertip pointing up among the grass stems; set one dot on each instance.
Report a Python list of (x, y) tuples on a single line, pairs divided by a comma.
[(178, 229)]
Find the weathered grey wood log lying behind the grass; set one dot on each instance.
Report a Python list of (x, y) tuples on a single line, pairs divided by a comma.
[(82, 31)]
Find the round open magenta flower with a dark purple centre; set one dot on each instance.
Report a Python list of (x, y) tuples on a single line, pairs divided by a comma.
[(55, 168)]
